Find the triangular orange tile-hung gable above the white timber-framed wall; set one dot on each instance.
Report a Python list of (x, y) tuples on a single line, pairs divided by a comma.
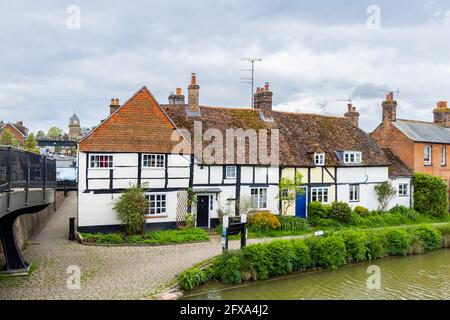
[(139, 125)]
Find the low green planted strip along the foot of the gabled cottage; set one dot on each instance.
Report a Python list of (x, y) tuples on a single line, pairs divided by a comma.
[(153, 238)]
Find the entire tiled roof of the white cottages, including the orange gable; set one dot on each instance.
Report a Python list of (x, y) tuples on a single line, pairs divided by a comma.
[(142, 125)]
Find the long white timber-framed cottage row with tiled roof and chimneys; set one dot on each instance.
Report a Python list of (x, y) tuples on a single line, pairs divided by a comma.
[(135, 145)]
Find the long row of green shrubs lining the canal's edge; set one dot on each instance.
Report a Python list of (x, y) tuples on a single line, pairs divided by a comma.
[(334, 249)]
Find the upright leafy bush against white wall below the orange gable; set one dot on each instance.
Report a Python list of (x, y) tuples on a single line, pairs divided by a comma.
[(130, 209)]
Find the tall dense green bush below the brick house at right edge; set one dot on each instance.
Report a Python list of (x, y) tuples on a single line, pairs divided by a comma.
[(430, 194)]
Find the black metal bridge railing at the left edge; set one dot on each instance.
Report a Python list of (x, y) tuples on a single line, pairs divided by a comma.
[(23, 169)]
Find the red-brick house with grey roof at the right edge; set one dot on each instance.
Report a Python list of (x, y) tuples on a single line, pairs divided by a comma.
[(421, 145)]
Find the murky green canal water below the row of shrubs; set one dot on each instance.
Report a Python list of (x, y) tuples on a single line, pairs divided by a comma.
[(424, 276)]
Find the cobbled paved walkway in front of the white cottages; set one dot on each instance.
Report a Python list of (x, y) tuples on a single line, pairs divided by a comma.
[(106, 272)]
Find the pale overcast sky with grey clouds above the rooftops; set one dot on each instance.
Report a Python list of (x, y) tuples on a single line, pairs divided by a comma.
[(314, 53)]
